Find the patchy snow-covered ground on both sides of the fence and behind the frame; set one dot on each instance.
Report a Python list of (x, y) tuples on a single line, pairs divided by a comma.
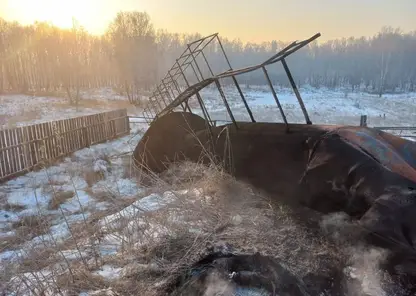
[(42, 212)]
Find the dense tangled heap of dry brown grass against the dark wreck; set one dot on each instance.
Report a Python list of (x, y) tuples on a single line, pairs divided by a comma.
[(225, 211)]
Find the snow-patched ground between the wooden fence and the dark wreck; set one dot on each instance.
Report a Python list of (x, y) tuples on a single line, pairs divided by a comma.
[(38, 210)]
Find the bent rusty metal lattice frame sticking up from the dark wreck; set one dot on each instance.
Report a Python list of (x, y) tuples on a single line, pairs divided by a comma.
[(169, 95)]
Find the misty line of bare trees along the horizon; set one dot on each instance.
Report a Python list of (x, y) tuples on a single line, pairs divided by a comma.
[(132, 56)]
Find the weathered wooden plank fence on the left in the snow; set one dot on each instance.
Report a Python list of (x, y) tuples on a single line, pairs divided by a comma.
[(24, 148)]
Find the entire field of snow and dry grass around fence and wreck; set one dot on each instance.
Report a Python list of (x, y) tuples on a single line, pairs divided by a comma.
[(91, 225)]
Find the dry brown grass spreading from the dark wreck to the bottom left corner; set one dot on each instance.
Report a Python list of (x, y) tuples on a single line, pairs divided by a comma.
[(157, 247)]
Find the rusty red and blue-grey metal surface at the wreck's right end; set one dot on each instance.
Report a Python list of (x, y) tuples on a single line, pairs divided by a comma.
[(395, 153)]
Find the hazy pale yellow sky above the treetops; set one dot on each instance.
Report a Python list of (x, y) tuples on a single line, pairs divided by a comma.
[(249, 20)]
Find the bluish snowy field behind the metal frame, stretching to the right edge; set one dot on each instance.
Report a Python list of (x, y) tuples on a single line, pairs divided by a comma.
[(324, 106)]
